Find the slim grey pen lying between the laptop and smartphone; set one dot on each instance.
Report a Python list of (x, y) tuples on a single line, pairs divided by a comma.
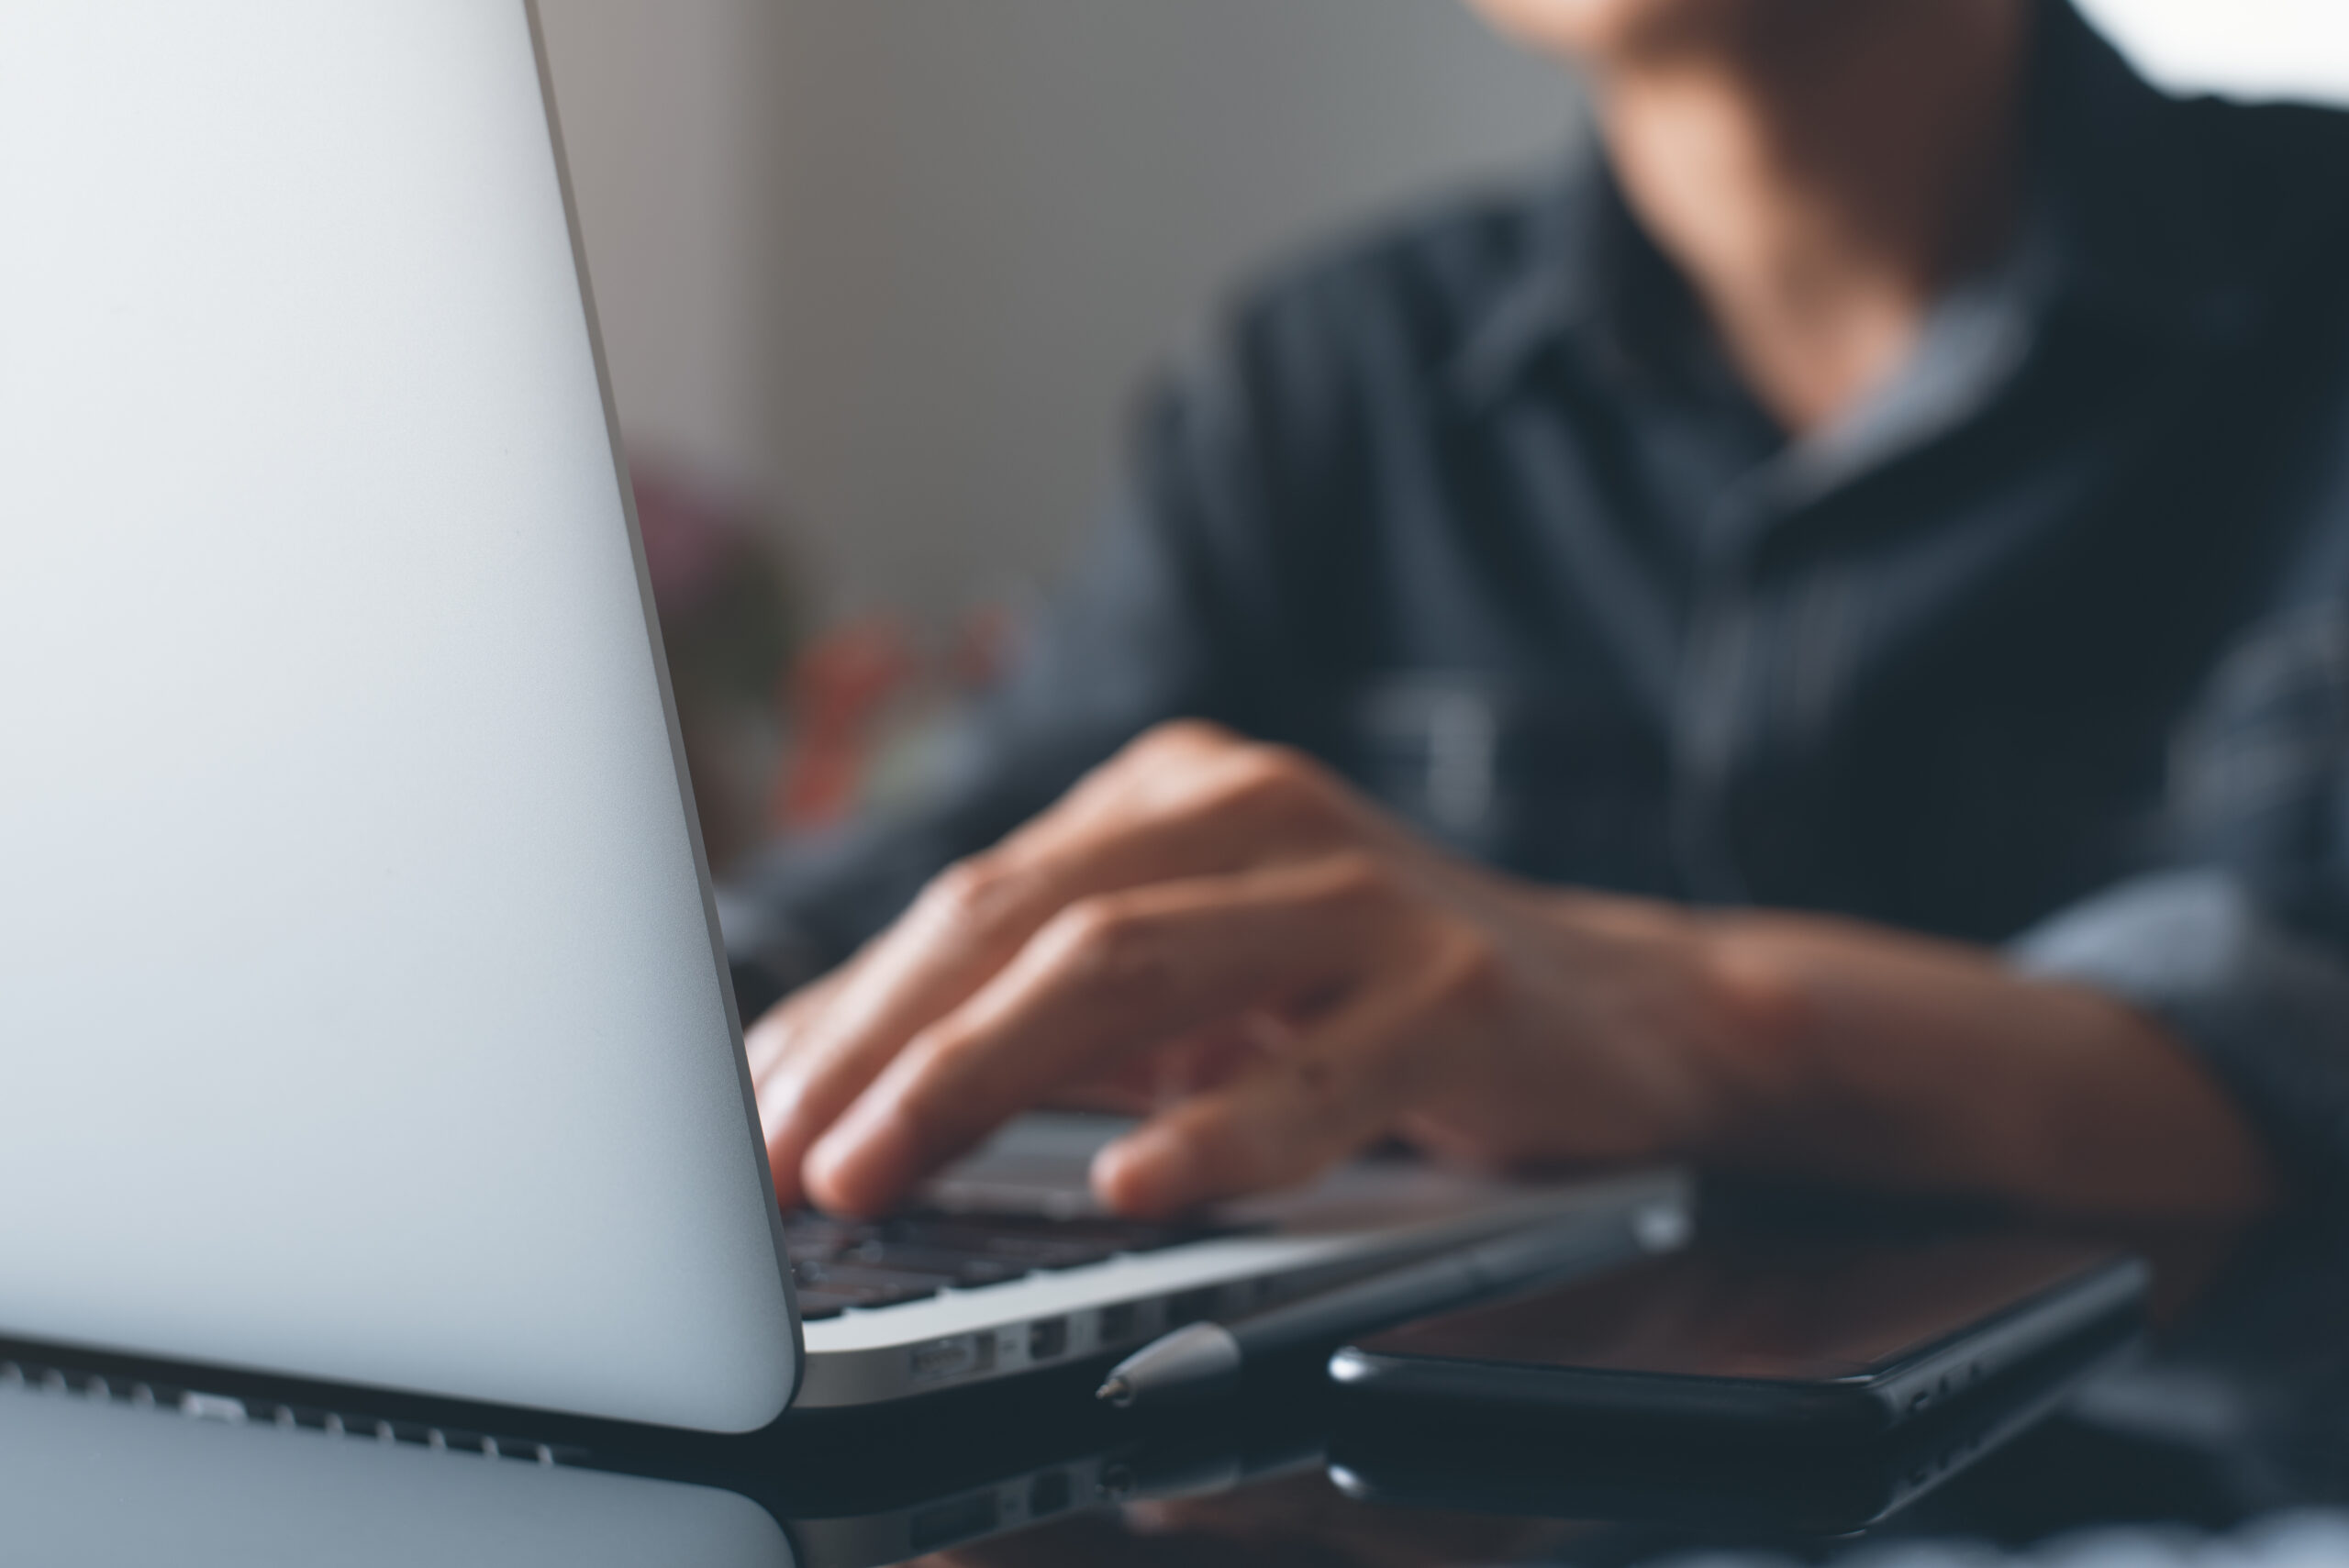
[(1209, 1358)]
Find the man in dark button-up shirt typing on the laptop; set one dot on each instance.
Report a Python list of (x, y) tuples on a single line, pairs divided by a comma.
[(1812, 642)]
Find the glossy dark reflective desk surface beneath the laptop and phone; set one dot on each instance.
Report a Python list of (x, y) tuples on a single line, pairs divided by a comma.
[(2237, 1417)]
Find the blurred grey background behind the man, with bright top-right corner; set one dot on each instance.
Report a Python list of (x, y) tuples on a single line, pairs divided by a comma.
[(880, 278)]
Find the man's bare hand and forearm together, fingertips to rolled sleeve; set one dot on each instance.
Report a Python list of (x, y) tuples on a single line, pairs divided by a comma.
[(1227, 935)]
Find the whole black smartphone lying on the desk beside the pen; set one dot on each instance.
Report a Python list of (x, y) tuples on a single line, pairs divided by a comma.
[(1758, 1334)]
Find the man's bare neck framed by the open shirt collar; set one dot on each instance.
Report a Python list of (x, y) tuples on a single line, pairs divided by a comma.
[(1826, 182)]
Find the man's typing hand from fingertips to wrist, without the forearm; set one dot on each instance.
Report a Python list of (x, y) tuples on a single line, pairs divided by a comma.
[(1230, 924)]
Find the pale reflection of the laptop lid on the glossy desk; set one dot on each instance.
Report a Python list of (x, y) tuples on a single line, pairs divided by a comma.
[(100, 1475)]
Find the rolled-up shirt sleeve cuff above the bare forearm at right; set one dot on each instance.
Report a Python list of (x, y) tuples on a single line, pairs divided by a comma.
[(2263, 1003)]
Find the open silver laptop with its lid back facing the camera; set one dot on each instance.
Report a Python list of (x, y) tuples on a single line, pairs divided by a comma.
[(361, 989)]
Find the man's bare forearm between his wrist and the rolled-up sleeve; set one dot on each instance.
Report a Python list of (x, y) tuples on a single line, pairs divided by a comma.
[(1892, 1060)]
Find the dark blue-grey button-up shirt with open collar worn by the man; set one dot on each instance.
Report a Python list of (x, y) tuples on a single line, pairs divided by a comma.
[(2045, 647)]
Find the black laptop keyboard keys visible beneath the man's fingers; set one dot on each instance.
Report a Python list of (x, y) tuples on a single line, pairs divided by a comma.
[(913, 1257)]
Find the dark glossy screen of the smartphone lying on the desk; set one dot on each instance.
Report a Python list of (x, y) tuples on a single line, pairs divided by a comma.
[(1782, 1309)]
